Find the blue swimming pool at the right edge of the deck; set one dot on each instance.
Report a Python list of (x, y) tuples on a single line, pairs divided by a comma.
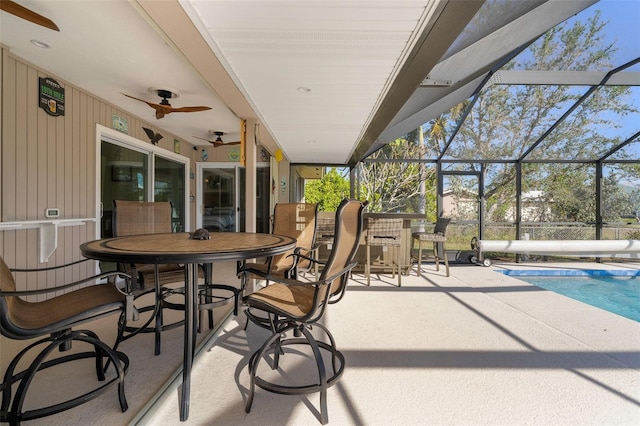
[(616, 291)]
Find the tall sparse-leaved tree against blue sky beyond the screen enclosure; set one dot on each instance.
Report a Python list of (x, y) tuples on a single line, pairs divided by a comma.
[(507, 120)]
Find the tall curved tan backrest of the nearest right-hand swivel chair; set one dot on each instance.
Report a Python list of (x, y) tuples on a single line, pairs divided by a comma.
[(348, 231)]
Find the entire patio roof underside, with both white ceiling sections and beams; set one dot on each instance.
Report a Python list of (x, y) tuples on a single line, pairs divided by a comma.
[(363, 61)]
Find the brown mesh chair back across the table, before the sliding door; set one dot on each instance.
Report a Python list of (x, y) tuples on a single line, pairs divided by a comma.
[(140, 217)]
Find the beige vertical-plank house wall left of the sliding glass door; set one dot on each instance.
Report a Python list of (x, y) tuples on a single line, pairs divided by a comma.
[(51, 162)]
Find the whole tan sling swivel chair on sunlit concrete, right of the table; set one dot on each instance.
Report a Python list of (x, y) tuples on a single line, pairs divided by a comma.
[(290, 316)]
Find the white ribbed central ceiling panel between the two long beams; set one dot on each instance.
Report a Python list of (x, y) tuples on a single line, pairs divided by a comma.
[(344, 52)]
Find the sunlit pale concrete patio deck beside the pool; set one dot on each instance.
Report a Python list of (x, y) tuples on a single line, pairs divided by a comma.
[(477, 348)]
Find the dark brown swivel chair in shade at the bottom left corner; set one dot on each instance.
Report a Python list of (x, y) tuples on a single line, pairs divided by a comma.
[(100, 302)]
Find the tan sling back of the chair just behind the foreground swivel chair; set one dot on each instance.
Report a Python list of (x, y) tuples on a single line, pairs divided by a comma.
[(295, 220)]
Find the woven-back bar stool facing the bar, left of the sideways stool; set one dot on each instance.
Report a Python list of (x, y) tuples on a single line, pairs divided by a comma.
[(383, 232)]
